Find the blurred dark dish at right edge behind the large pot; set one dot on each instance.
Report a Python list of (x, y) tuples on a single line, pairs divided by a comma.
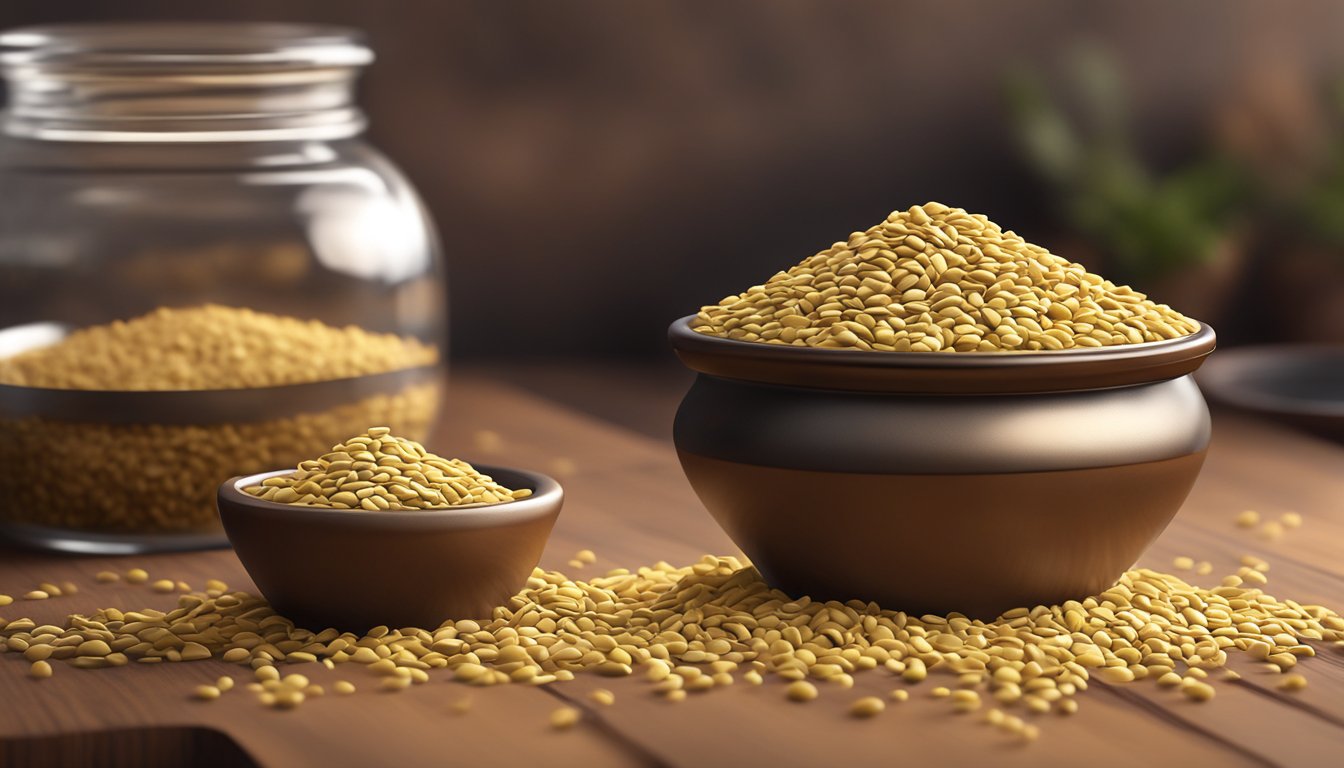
[(1300, 385)]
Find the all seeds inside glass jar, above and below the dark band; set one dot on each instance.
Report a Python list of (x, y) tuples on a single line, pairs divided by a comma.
[(112, 477)]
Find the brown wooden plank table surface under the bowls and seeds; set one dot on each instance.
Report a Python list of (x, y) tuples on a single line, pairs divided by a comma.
[(628, 501)]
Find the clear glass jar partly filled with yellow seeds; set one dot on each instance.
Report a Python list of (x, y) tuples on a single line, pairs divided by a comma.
[(206, 169)]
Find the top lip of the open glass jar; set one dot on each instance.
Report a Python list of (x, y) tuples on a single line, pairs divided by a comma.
[(186, 44)]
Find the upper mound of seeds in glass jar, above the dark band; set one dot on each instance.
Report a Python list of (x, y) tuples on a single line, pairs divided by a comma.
[(212, 348)]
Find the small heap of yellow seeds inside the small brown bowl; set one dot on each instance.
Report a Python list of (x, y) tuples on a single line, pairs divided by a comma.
[(377, 471)]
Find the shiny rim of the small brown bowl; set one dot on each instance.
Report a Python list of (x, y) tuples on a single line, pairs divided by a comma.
[(546, 496)]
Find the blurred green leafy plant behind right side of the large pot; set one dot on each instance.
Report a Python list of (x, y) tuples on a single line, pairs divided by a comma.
[(1171, 235)]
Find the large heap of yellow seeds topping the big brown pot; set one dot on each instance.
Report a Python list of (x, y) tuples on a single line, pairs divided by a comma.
[(939, 279)]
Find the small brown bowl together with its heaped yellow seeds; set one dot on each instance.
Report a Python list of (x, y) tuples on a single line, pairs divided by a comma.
[(448, 540)]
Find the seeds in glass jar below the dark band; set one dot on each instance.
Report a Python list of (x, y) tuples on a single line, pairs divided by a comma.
[(114, 478)]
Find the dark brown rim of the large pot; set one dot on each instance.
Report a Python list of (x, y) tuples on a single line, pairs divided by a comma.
[(941, 373)]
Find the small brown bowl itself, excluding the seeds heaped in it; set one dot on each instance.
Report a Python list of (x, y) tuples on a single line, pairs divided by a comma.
[(354, 570)]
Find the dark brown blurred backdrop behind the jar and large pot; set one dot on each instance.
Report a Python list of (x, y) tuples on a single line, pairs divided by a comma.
[(601, 169)]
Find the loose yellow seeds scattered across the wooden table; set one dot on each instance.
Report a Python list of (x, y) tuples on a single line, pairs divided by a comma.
[(716, 623)]
